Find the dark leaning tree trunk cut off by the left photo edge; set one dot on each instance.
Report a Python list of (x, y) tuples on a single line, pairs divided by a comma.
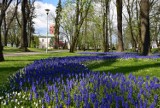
[(3, 7)]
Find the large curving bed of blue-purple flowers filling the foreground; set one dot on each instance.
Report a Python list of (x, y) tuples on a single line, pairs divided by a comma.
[(65, 82)]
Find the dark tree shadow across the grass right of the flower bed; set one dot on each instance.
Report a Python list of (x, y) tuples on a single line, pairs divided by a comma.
[(120, 68)]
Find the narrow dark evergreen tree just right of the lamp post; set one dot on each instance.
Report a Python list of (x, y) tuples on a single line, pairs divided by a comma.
[(57, 22)]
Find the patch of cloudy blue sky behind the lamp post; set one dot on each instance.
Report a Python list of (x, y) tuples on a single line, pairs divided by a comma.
[(41, 19)]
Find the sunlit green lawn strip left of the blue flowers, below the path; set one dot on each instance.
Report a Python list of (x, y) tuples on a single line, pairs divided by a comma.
[(13, 64)]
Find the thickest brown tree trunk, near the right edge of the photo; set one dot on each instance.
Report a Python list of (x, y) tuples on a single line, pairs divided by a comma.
[(145, 26)]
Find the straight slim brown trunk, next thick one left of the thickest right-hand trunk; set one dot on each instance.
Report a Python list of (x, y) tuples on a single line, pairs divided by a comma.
[(119, 25)]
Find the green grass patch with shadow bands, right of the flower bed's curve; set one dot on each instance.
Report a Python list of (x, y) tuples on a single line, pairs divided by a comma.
[(141, 67)]
